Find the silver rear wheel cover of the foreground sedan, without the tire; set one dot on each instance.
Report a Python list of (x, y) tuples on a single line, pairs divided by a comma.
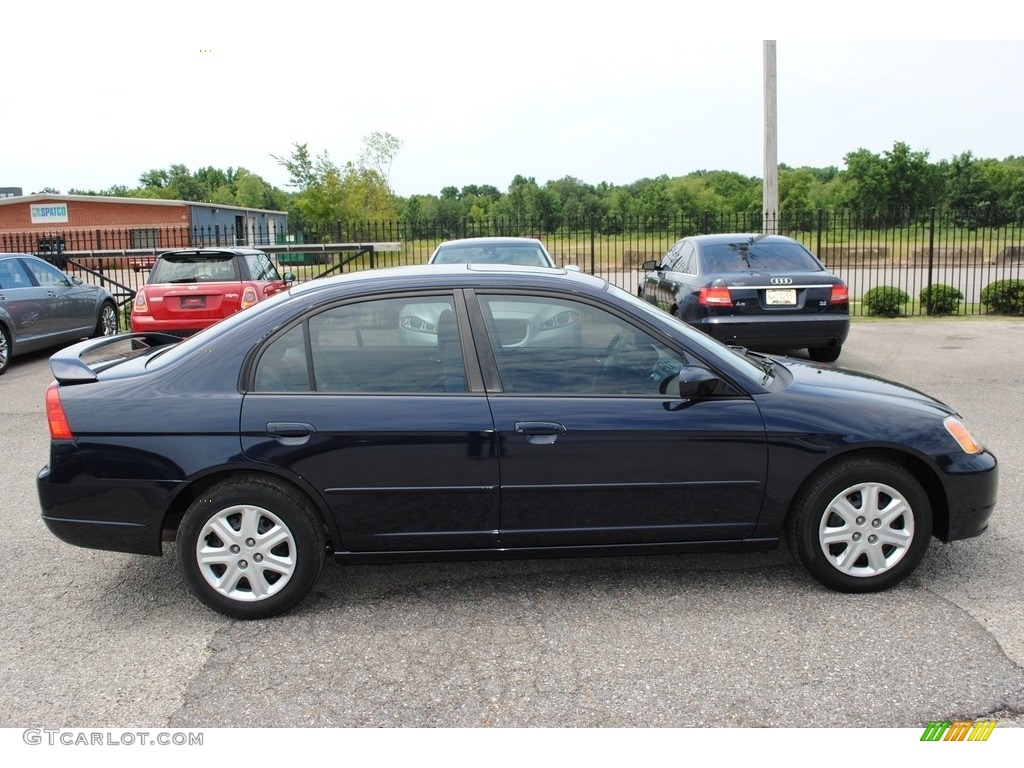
[(246, 553)]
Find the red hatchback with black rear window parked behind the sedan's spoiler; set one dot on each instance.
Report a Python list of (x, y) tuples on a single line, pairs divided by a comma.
[(191, 289)]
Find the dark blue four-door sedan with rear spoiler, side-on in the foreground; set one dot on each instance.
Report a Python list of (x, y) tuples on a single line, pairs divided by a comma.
[(477, 411)]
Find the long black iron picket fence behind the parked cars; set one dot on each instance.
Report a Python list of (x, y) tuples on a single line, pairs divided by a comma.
[(913, 252)]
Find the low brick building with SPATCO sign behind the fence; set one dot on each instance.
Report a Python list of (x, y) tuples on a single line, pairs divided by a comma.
[(49, 224)]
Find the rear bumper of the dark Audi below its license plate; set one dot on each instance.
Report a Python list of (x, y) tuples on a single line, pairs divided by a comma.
[(780, 333)]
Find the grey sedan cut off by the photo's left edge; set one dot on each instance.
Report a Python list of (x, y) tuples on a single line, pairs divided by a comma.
[(40, 307)]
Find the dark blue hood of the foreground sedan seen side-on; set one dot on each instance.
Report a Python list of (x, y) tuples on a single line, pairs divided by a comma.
[(831, 382)]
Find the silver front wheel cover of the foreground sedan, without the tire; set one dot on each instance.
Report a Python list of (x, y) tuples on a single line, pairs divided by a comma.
[(867, 530)]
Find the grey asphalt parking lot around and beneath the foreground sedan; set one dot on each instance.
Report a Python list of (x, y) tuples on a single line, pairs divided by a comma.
[(101, 639)]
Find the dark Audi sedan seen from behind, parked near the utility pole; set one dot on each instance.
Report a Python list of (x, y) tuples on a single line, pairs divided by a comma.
[(765, 292)]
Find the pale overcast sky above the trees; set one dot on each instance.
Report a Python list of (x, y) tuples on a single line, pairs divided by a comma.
[(97, 94)]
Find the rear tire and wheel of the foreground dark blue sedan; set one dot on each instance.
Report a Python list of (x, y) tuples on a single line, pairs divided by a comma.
[(251, 547)]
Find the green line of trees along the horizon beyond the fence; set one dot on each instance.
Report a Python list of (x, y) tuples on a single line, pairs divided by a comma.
[(902, 182)]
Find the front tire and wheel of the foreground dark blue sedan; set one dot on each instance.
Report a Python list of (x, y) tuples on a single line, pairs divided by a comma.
[(861, 526)]
